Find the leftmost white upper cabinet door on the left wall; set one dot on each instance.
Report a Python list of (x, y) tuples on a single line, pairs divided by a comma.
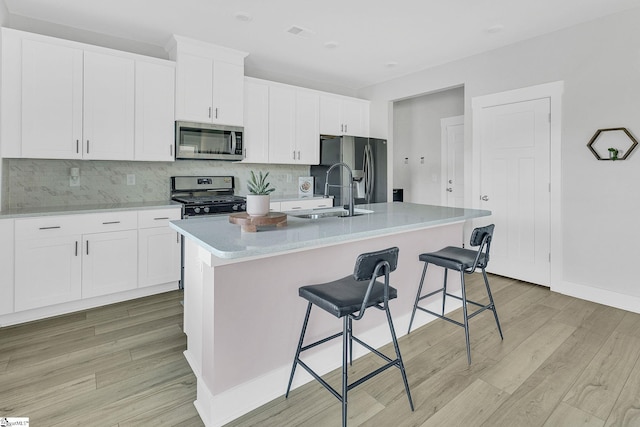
[(51, 101)]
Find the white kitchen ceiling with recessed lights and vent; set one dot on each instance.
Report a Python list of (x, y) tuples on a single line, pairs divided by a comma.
[(346, 43)]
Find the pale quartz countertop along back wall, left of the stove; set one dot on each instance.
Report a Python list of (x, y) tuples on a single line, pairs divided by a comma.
[(84, 209)]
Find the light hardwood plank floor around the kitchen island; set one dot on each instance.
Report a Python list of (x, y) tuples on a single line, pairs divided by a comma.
[(563, 362)]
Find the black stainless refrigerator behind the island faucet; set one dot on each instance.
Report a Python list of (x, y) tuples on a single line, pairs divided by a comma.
[(367, 158)]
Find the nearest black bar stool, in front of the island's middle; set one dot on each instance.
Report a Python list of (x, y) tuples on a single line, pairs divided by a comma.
[(344, 298)]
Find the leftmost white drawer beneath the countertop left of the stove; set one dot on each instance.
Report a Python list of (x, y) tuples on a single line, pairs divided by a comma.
[(48, 226)]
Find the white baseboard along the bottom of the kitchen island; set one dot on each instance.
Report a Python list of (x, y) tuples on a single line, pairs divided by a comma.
[(226, 406)]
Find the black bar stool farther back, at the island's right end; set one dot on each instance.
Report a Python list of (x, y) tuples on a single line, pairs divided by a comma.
[(465, 261)]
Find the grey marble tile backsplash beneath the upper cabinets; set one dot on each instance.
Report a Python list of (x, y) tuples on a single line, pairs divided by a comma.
[(33, 183)]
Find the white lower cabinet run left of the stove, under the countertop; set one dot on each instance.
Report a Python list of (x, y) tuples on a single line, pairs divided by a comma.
[(67, 258)]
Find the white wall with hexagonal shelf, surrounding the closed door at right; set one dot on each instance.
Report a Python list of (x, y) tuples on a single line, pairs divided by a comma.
[(599, 63)]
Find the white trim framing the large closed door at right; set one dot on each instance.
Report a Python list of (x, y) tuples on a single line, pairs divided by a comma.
[(553, 91)]
